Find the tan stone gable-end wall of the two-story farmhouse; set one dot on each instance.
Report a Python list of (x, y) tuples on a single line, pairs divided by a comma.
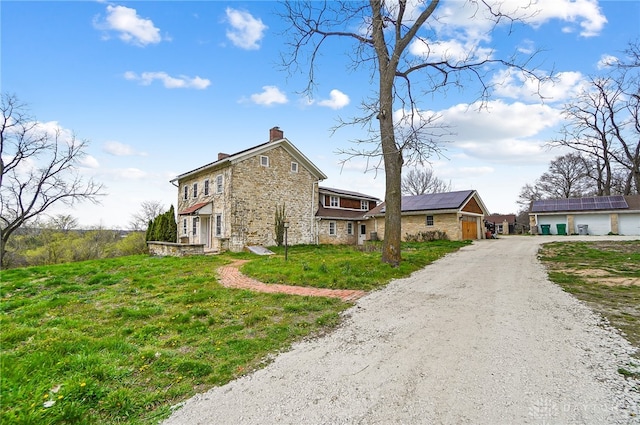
[(256, 190)]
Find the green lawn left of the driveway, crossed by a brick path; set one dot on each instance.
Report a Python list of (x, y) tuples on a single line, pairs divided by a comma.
[(121, 340)]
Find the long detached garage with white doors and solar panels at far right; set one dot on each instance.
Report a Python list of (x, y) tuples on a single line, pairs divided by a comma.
[(597, 215)]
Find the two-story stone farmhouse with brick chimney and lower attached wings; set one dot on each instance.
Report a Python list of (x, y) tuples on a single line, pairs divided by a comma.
[(231, 203)]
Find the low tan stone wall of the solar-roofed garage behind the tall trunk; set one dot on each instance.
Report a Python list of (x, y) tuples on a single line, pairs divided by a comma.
[(413, 224)]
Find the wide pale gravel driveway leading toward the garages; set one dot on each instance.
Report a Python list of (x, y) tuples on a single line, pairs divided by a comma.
[(478, 337)]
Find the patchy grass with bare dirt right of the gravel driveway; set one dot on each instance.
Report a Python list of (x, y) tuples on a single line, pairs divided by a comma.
[(605, 275)]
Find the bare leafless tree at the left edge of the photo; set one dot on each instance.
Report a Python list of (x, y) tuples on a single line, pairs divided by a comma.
[(38, 168)]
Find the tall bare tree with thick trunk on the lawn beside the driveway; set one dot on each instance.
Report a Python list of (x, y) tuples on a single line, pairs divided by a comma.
[(382, 33)]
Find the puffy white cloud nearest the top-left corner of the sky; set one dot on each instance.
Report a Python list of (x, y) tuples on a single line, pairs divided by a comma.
[(130, 27)]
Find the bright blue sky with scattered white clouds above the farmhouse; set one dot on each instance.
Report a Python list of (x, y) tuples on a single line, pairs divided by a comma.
[(159, 88)]
